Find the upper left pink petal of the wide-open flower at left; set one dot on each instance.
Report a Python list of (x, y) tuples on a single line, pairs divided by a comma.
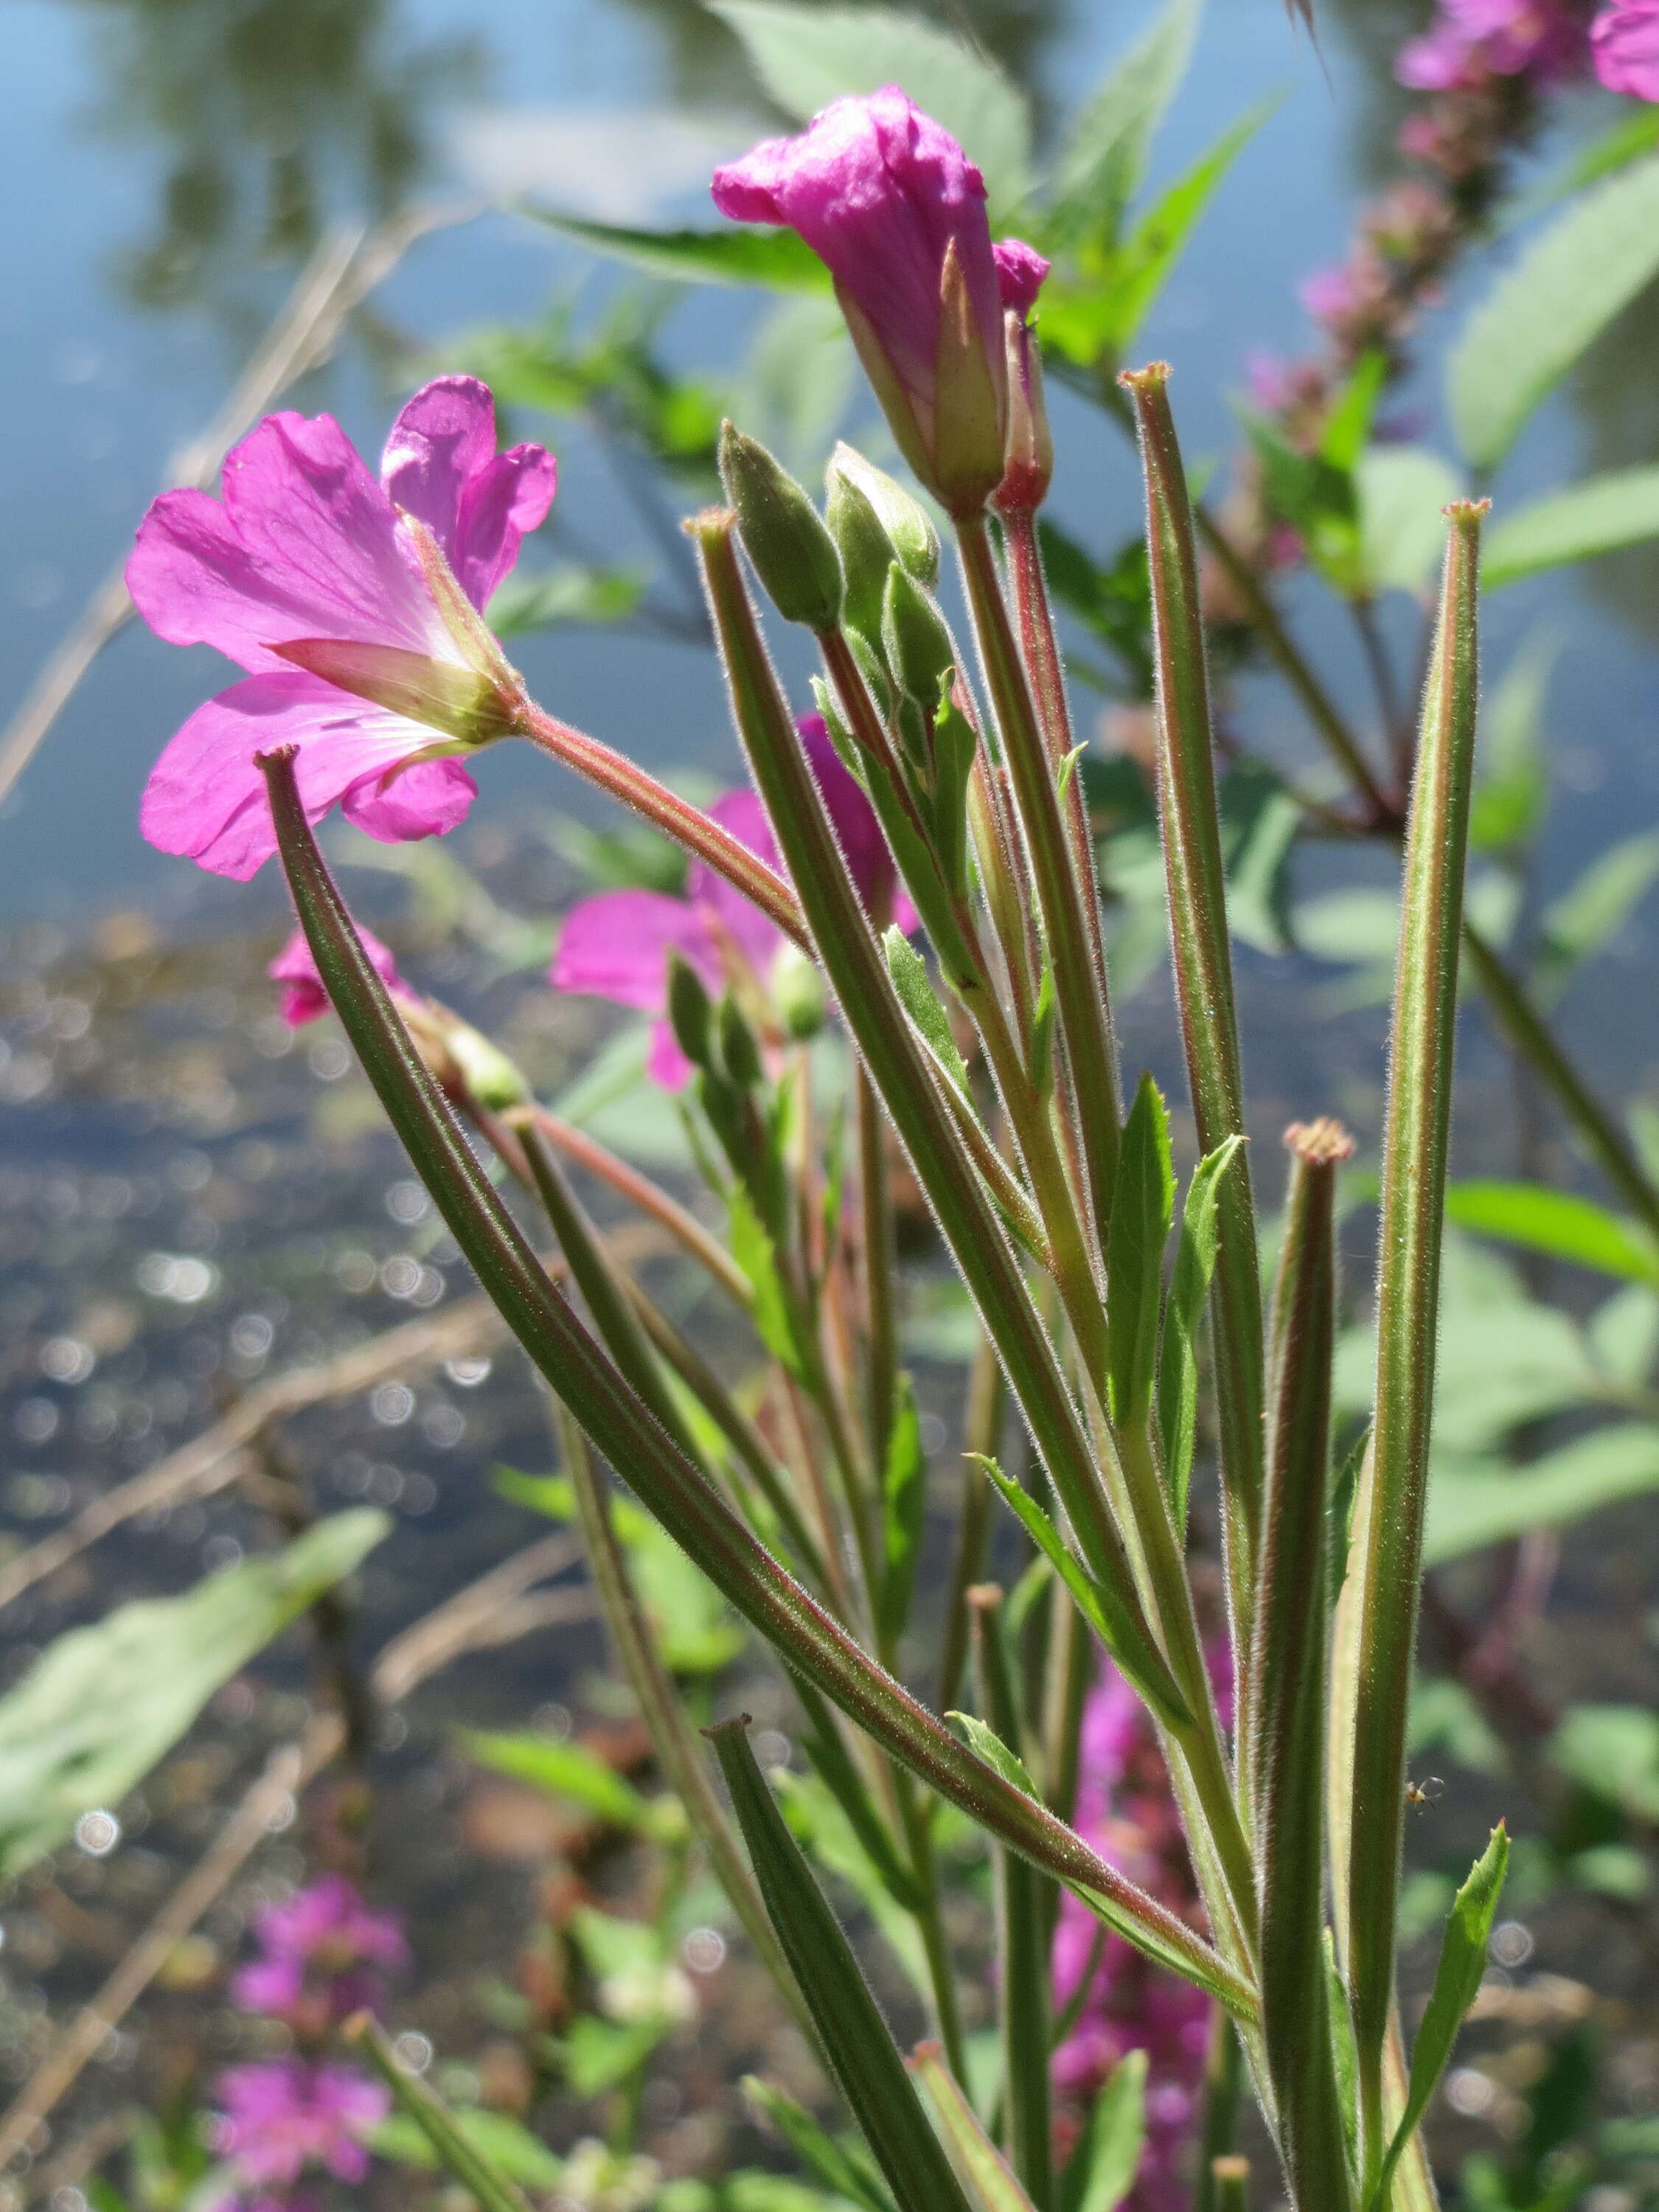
[(302, 545)]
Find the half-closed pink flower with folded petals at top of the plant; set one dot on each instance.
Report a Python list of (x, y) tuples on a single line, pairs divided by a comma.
[(897, 213)]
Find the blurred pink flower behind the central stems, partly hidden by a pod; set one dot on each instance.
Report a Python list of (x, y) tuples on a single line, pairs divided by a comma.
[(618, 943)]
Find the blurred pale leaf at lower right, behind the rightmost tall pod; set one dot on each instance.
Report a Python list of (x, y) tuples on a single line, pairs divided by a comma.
[(1477, 1507)]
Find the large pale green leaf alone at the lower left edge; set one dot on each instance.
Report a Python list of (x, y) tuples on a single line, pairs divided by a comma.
[(105, 1704)]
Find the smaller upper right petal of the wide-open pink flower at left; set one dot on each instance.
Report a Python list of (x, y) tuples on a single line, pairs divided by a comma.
[(441, 466)]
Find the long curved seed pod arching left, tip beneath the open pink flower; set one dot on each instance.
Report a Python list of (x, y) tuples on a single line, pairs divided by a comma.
[(656, 1470)]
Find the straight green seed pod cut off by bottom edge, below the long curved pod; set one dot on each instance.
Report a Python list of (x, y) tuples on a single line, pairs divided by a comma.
[(853, 2032)]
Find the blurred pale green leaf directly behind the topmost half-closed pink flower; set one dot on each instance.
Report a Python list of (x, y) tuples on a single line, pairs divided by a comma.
[(808, 56)]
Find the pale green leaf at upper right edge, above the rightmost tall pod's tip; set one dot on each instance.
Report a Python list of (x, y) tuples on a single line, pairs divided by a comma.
[(1545, 313)]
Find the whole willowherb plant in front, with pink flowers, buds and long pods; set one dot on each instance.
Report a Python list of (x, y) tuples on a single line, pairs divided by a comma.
[(917, 866)]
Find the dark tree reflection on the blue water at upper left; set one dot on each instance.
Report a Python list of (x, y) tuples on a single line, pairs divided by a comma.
[(271, 118)]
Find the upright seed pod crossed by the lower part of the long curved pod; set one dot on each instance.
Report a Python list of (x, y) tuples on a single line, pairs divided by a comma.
[(1023, 1948)]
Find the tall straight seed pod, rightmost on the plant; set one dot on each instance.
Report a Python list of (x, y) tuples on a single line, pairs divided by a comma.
[(1395, 1488)]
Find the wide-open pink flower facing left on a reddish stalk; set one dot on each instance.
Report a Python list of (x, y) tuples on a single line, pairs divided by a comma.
[(309, 563)]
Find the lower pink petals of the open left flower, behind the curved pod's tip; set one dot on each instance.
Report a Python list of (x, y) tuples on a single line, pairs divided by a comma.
[(207, 800)]
